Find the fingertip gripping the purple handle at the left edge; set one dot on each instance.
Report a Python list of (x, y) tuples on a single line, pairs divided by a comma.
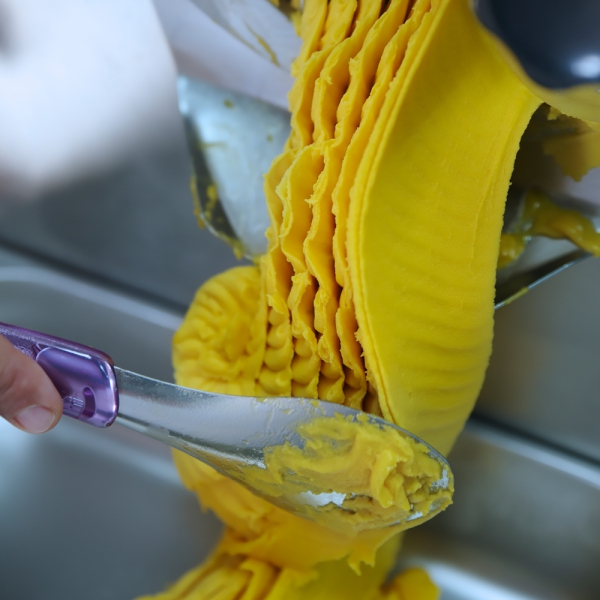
[(28, 399)]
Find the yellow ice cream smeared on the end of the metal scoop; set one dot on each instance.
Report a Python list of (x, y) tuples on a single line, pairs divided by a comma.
[(380, 477)]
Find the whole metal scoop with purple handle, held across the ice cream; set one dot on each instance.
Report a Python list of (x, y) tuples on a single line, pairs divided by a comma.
[(233, 434)]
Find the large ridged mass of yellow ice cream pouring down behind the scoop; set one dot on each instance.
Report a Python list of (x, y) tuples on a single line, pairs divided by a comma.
[(377, 289)]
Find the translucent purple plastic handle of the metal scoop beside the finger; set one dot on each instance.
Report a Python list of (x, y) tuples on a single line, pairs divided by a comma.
[(84, 377)]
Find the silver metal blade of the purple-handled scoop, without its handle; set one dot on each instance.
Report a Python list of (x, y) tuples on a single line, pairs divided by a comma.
[(233, 434)]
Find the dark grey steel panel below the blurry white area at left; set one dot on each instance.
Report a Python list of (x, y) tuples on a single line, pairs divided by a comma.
[(132, 227)]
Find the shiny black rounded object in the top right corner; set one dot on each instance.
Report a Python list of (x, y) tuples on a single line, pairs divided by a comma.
[(557, 42)]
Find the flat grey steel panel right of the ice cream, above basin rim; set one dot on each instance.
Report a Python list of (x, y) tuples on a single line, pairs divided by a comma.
[(544, 373)]
